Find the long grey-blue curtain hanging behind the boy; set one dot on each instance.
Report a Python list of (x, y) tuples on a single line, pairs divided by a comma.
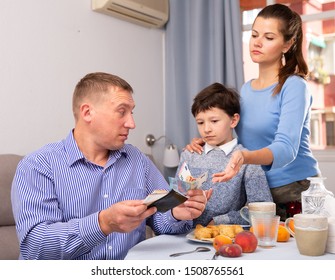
[(203, 46)]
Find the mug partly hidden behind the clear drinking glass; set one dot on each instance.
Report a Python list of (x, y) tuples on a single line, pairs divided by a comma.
[(263, 208)]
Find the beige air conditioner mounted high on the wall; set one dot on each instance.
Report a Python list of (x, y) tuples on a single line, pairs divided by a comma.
[(149, 13)]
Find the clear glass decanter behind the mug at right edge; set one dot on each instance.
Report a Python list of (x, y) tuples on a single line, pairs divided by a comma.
[(313, 199)]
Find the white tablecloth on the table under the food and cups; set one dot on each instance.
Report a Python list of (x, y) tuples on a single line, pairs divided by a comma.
[(160, 247)]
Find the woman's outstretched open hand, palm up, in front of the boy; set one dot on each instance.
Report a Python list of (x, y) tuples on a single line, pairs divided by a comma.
[(232, 168)]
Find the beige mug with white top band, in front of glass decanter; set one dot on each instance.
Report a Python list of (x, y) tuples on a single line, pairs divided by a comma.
[(310, 233)]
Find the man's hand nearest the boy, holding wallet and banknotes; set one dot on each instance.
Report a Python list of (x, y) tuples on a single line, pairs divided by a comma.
[(194, 206)]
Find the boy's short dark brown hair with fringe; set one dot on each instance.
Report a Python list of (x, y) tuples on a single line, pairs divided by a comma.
[(217, 96)]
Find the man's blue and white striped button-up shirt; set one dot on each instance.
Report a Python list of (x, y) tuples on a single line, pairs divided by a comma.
[(57, 195)]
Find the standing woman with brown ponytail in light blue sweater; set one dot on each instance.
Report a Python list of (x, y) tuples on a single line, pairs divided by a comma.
[(275, 110)]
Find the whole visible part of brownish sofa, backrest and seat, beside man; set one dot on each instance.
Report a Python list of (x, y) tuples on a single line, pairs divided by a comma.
[(9, 245)]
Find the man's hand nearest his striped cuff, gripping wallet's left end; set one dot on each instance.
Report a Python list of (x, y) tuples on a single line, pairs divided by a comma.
[(124, 216)]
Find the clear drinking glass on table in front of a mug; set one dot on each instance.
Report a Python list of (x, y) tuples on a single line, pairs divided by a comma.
[(265, 229)]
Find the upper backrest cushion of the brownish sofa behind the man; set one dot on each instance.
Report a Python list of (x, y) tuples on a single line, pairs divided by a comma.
[(8, 164)]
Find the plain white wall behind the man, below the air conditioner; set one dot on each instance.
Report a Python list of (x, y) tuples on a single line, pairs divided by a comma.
[(47, 46)]
